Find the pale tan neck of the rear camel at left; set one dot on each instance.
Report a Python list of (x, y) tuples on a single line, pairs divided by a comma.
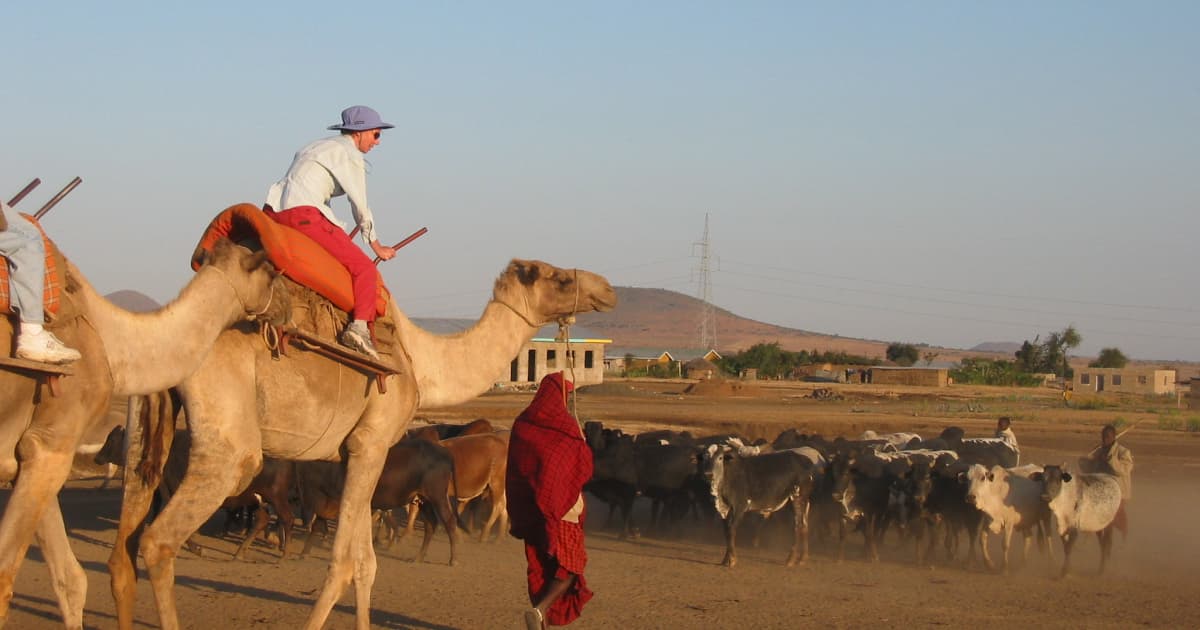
[(152, 352)]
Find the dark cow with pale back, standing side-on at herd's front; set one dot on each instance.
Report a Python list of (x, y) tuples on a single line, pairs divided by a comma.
[(763, 484)]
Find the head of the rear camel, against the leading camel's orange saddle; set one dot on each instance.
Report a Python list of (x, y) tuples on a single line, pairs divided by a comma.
[(257, 286)]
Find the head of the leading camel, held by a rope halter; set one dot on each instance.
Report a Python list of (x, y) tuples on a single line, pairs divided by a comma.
[(545, 293)]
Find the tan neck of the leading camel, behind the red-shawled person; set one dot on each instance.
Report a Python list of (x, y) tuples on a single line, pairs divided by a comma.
[(454, 369)]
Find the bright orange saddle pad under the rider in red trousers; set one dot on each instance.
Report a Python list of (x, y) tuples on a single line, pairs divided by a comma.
[(295, 255)]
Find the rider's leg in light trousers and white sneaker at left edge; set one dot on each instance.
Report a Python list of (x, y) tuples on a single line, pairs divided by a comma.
[(21, 244)]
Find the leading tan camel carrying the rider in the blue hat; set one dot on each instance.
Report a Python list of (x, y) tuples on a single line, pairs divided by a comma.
[(245, 403)]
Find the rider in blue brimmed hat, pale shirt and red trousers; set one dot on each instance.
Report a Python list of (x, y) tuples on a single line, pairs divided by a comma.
[(328, 169)]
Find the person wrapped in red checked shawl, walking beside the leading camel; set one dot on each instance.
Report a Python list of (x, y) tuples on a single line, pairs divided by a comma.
[(549, 464)]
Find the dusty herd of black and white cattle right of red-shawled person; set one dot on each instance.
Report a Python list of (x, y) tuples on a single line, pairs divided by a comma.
[(928, 490)]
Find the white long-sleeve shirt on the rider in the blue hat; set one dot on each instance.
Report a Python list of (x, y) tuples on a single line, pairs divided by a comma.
[(325, 170)]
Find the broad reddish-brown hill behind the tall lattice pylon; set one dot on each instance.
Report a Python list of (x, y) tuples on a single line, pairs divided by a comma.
[(662, 319)]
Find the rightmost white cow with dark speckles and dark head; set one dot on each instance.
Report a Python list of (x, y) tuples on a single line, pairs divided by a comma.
[(1081, 503)]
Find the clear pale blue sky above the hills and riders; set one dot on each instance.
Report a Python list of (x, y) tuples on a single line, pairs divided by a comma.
[(920, 172)]
